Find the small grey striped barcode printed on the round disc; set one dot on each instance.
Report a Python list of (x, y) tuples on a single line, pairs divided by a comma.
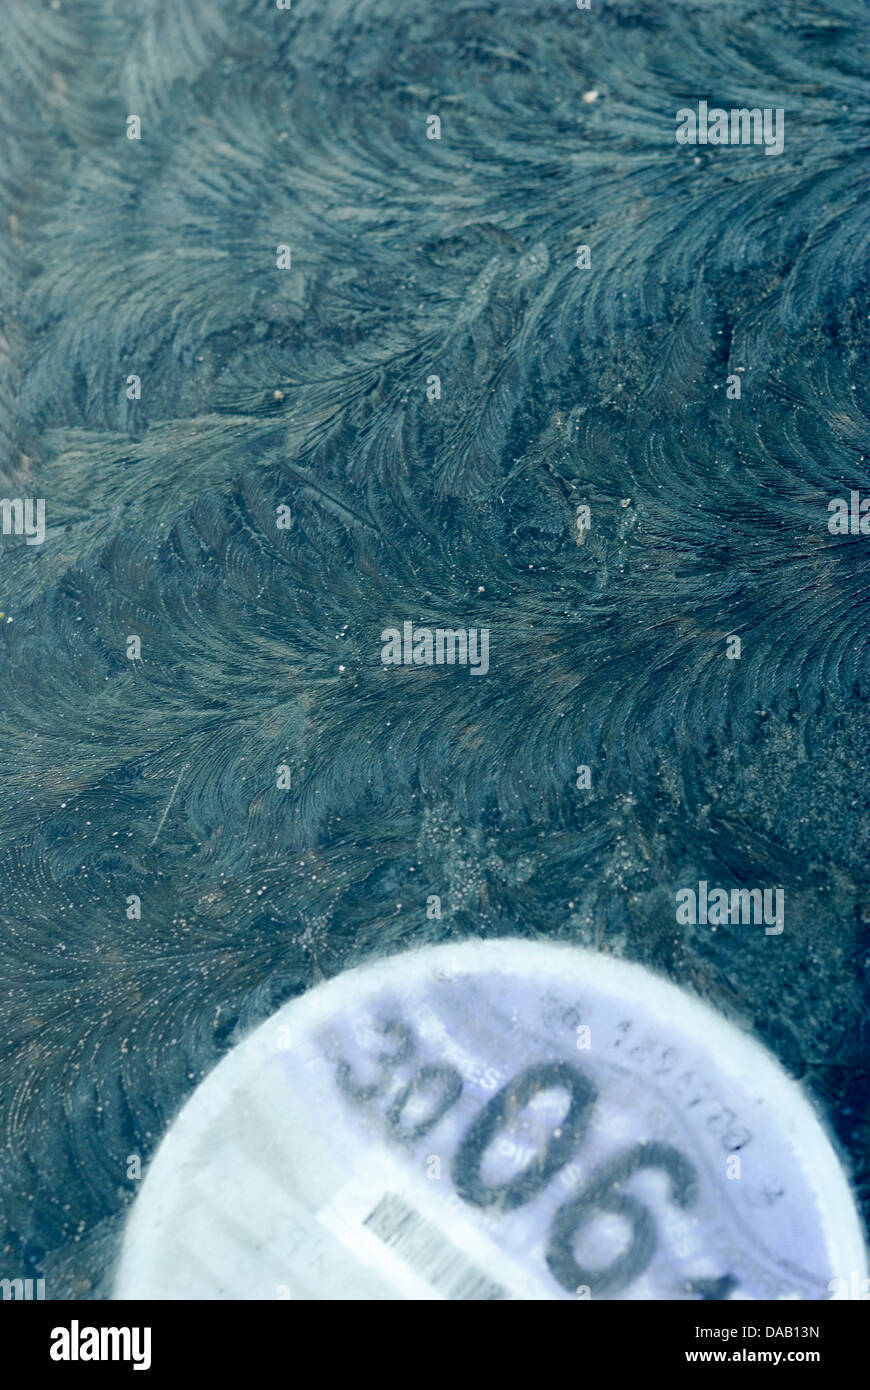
[(425, 1249)]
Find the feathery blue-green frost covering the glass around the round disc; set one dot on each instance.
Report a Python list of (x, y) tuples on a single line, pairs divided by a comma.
[(308, 389)]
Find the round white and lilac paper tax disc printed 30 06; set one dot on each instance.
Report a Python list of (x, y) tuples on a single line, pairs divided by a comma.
[(493, 1121)]
